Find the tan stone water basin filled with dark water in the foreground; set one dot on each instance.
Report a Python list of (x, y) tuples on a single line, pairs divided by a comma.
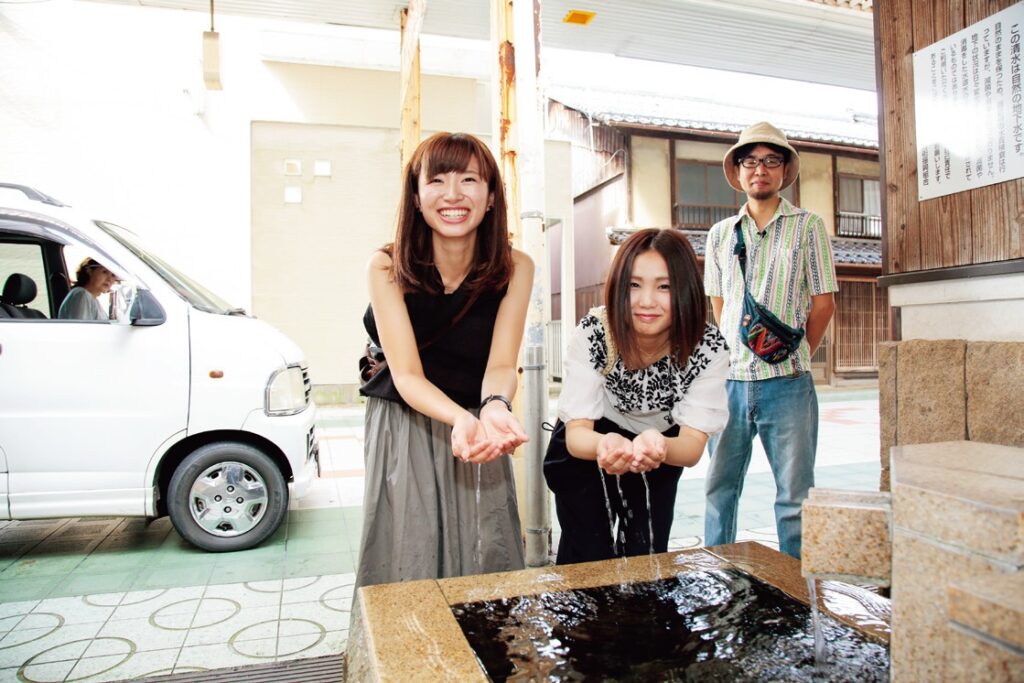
[(727, 614)]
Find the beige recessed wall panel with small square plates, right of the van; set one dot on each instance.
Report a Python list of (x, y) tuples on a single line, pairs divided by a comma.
[(309, 270)]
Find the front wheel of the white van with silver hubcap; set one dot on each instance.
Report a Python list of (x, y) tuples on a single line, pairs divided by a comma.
[(227, 497)]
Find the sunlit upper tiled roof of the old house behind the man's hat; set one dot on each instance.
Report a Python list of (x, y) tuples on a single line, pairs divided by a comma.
[(695, 114)]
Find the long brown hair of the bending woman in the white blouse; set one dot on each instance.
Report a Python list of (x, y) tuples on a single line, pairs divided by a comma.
[(690, 309)]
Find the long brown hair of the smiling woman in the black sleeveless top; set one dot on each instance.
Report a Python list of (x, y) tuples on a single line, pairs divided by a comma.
[(412, 252)]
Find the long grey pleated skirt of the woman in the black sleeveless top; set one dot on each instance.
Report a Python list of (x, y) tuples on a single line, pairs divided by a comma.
[(421, 519)]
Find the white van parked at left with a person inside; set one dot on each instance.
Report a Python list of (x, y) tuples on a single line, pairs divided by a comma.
[(179, 405)]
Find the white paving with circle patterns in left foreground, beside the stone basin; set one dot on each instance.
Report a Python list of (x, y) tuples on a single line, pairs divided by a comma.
[(127, 635)]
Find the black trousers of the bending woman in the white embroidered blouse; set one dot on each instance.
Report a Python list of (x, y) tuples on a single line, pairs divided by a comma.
[(583, 510)]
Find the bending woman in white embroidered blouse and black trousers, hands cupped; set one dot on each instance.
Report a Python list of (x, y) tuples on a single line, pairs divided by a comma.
[(644, 388)]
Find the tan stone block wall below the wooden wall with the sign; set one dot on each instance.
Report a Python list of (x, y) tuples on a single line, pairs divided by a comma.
[(950, 391)]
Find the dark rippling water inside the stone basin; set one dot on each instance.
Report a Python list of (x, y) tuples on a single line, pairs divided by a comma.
[(720, 625)]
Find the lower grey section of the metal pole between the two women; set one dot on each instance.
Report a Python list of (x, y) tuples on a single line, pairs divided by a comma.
[(535, 406)]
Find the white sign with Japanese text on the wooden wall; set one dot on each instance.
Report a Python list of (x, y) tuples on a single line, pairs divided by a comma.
[(969, 107)]
